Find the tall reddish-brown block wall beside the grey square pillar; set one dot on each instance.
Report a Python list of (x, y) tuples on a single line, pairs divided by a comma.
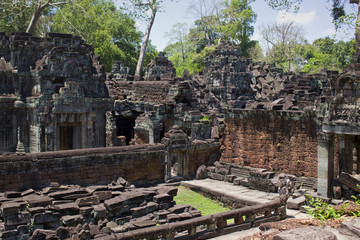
[(279, 141)]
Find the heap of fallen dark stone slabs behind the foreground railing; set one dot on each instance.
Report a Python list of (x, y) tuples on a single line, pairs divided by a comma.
[(62, 212)]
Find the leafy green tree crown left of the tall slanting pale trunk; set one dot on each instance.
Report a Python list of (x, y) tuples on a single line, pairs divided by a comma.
[(111, 31)]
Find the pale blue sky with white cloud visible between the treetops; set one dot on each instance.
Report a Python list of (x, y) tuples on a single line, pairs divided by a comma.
[(314, 17)]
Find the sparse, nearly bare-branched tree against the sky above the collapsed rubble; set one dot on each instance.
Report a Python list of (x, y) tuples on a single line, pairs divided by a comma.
[(282, 40)]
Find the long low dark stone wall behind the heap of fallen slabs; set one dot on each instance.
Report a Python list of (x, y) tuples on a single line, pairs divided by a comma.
[(84, 167)]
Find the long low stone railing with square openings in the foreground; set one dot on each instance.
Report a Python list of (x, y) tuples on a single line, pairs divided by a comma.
[(211, 225)]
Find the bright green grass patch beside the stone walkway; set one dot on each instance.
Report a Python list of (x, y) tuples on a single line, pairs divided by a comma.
[(204, 204)]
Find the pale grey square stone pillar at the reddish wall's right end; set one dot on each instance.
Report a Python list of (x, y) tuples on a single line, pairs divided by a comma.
[(325, 163)]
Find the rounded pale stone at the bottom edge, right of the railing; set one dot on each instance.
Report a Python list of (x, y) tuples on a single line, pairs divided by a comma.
[(306, 233)]
